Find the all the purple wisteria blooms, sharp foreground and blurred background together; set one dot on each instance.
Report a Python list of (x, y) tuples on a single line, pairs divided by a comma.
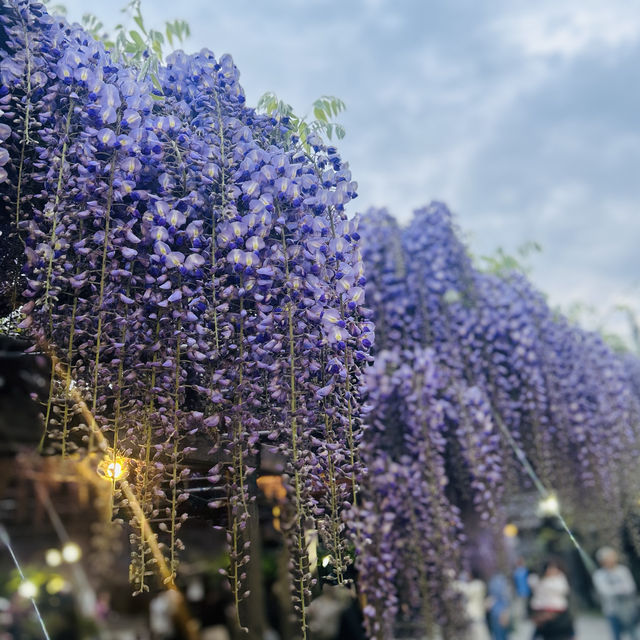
[(192, 266)]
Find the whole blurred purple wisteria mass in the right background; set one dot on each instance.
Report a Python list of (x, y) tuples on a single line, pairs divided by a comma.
[(469, 366)]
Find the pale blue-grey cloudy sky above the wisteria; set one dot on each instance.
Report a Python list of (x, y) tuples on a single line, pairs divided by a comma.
[(522, 116)]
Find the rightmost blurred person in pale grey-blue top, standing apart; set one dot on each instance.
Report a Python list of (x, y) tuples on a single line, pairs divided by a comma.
[(618, 594)]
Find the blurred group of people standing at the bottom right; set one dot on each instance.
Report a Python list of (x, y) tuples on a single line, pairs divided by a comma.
[(495, 607)]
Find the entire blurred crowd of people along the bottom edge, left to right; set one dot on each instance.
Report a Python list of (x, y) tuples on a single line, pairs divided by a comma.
[(494, 606)]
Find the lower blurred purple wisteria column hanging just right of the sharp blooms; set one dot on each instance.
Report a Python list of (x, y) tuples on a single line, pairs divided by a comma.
[(409, 531)]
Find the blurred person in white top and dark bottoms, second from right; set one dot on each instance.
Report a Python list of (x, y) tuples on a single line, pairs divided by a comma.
[(550, 605)]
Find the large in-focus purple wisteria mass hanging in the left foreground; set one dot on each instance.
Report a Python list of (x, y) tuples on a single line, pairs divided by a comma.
[(193, 267)]
